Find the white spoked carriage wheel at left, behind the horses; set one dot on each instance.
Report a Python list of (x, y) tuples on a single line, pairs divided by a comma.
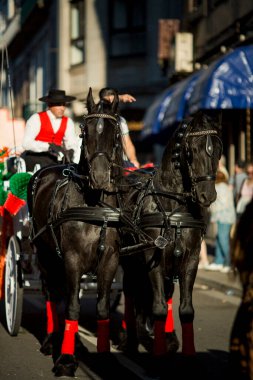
[(13, 299)]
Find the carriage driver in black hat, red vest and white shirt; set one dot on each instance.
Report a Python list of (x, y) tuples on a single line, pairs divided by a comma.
[(50, 134)]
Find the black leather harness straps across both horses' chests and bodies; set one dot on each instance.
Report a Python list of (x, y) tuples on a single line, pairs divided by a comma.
[(106, 216)]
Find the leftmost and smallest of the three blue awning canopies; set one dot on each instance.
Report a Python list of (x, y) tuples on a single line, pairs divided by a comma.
[(155, 113)]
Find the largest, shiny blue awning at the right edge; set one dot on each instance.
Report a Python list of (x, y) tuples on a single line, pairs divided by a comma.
[(226, 84)]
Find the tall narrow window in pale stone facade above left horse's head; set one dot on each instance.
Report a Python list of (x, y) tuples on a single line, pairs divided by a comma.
[(77, 32)]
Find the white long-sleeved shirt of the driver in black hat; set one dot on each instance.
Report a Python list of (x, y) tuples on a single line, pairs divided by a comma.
[(32, 129)]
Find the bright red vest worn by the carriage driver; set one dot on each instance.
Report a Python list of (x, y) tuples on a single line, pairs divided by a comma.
[(46, 132)]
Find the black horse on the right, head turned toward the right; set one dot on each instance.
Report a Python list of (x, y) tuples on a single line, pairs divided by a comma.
[(168, 209)]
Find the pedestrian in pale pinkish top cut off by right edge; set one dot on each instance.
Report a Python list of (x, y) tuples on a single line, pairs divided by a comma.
[(246, 191)]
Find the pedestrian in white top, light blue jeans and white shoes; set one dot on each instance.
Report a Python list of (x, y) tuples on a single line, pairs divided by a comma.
[(223, 214)]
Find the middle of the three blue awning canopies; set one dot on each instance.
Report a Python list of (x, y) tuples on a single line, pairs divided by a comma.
[(178, 107)]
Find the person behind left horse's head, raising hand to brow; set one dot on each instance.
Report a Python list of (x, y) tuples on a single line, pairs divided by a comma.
[(128, 146)]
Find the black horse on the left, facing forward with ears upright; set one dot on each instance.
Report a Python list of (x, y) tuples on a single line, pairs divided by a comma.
[(75, 216)]
